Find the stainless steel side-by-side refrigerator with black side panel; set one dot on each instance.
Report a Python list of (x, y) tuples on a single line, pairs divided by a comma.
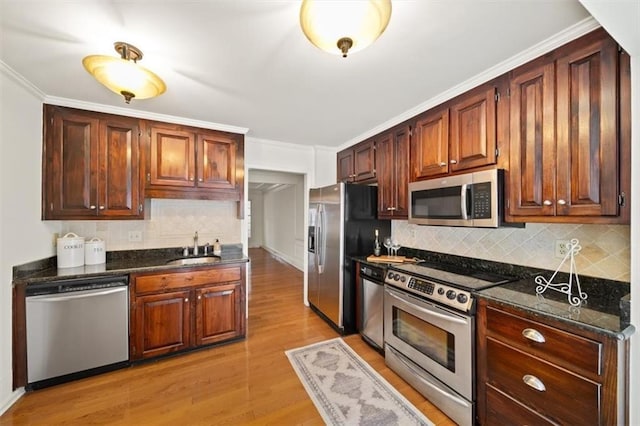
[(342, 223)]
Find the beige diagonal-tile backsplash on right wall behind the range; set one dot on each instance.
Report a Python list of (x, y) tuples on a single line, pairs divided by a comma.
[(605, 248)]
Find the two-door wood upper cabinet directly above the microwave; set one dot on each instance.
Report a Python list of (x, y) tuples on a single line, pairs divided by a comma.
[(458, 135)]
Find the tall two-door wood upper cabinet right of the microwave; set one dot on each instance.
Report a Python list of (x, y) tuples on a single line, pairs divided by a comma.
[(566, 134)]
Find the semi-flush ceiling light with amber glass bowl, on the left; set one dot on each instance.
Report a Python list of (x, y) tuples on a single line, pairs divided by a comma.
[(123, 75)]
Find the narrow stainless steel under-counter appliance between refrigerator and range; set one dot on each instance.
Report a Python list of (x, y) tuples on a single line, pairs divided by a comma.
[(372, 297)]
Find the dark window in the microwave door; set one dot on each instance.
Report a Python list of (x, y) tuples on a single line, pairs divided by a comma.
[(441, 203)]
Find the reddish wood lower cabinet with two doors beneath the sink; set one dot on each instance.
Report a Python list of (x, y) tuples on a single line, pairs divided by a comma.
[(180, 310)]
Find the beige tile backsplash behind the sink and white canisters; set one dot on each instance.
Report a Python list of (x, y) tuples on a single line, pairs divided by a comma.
[(168, 223)]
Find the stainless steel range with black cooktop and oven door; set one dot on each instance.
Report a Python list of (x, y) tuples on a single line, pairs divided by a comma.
[(429, 332)]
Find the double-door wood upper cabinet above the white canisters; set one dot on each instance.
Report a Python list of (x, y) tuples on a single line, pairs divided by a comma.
[(90, 165)]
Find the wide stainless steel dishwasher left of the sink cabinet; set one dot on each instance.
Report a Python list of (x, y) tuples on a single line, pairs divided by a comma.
[(76, 328)]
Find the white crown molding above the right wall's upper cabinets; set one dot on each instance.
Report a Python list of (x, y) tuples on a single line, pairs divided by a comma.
[(571, 33)]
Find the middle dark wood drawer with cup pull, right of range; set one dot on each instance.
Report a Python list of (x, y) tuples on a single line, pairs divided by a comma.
[(563, 397)]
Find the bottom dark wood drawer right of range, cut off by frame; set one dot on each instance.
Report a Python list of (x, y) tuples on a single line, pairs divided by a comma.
[(503, 410)]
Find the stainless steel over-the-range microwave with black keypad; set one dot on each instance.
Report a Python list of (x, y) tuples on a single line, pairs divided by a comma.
[(470, 199)]
